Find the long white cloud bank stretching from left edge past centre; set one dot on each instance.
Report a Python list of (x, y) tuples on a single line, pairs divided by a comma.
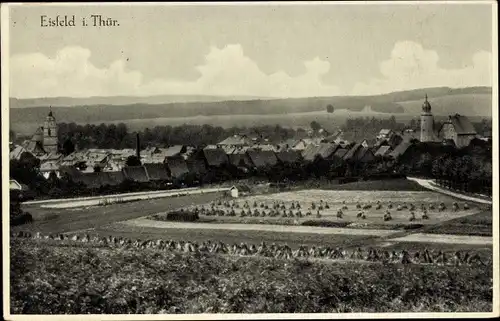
[(226, 71)]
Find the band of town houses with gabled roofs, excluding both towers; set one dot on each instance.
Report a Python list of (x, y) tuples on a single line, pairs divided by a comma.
[(99, 167)]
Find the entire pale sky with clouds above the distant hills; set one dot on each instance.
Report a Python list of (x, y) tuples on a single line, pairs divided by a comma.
[(258, 50)]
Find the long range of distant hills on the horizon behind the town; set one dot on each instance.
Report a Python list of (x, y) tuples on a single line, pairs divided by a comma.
[(474, 101)]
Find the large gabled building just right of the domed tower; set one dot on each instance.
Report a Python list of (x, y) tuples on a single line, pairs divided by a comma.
[(459, 129)]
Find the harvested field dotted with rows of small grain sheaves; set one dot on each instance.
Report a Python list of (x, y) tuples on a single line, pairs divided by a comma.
[(298, 207)]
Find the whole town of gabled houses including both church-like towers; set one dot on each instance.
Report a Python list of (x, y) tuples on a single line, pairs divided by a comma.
[(97, 167)]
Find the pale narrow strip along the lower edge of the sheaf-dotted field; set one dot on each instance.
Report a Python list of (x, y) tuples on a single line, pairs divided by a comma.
[(143, 222)]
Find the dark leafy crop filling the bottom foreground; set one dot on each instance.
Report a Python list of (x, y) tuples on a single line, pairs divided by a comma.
[(49, 279)]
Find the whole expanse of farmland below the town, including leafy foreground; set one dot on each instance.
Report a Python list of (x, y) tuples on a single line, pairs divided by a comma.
[(101, 276)]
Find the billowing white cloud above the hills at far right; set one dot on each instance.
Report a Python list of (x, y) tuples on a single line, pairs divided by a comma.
[(411, 66)]
